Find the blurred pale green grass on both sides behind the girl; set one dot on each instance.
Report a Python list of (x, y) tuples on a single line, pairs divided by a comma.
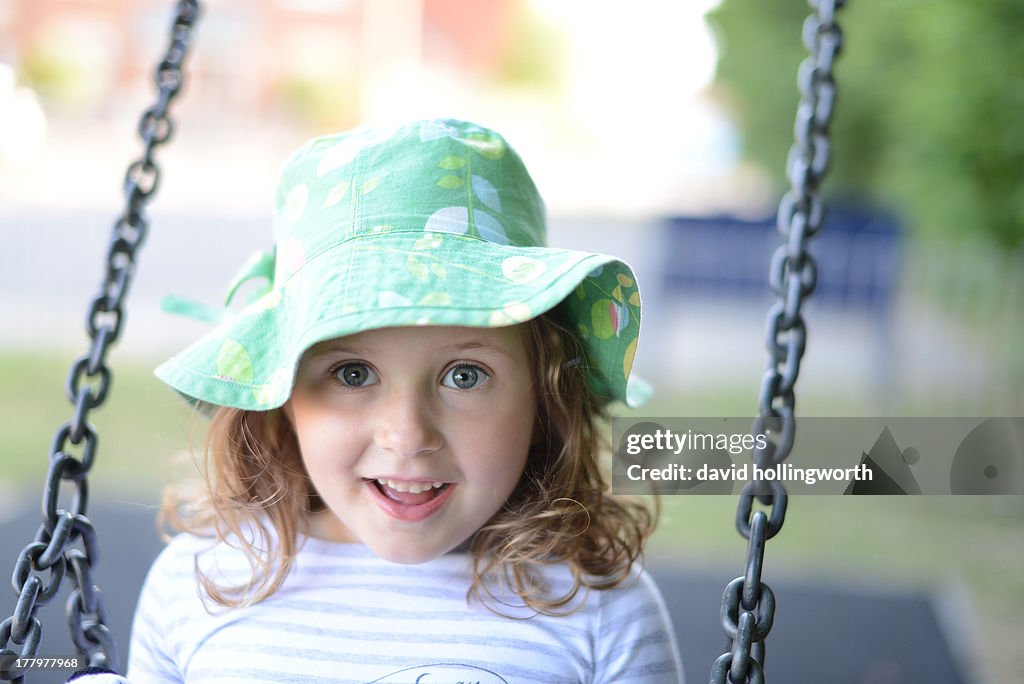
[(919, 543)]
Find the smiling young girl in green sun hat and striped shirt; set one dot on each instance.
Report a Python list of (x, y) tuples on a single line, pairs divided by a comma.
[(403, 482)]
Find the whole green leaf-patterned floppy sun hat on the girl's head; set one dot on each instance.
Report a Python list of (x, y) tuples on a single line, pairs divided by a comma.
[(431, 224)]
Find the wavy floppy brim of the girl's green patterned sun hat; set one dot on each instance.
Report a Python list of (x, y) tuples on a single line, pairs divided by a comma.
[(250, 360)]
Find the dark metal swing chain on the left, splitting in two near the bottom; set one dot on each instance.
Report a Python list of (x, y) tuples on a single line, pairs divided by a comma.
[(45, 564)]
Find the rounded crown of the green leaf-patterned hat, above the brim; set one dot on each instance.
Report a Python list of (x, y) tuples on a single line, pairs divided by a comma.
[(429, 177)]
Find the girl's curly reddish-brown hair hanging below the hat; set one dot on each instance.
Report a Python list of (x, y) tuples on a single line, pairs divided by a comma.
[(257, 491)]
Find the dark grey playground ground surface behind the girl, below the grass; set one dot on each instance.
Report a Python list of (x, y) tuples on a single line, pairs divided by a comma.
[(823, 633)]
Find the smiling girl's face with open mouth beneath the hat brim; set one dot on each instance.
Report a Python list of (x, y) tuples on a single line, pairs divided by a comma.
[(414, 438)]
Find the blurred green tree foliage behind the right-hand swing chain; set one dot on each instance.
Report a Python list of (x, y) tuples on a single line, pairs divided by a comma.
[(931, 110)]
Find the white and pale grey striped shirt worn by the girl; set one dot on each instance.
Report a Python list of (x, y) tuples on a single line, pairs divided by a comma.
[(345, 616)]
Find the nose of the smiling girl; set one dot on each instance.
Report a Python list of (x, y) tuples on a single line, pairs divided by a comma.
[(407, 425)]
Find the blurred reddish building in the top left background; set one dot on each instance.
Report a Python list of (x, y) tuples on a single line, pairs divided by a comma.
[(262, 58)]
